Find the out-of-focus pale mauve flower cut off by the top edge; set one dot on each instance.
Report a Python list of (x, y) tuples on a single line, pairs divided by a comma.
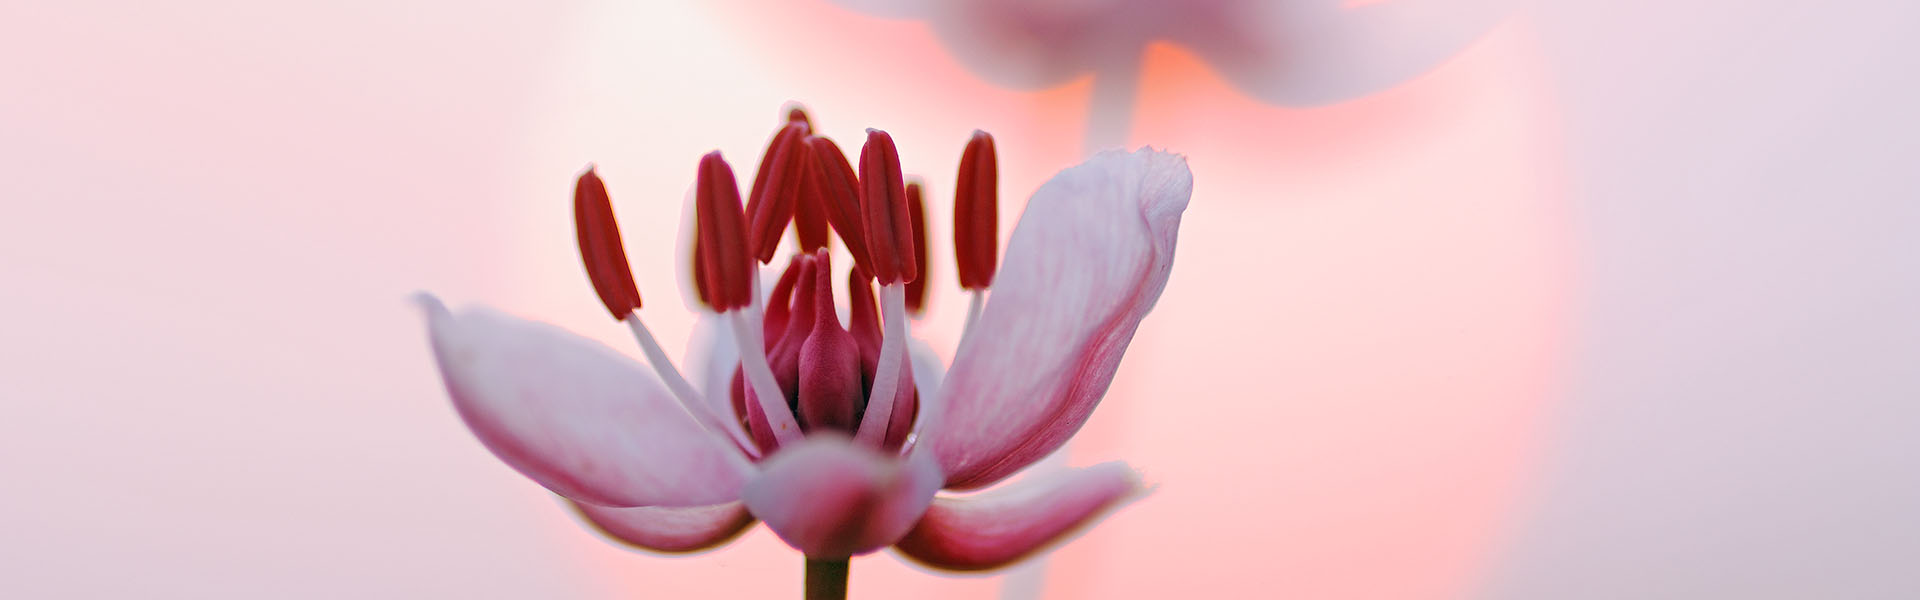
[(1291, 53)]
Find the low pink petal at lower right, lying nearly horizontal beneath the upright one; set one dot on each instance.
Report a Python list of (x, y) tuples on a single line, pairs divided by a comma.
[(1005, 526)]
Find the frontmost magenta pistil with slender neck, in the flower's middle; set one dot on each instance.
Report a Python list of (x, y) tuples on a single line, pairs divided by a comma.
[(832, 391)]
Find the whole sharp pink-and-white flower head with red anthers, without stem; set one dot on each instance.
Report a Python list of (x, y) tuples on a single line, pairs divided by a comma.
[(836, 437)]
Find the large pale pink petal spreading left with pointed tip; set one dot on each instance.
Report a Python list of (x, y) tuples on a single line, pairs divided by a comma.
[(577, 416)]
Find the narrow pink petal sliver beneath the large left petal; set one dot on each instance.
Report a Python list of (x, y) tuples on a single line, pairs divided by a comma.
[(669, 530)]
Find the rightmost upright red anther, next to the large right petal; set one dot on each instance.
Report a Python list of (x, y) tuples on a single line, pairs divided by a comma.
[(976, 212)]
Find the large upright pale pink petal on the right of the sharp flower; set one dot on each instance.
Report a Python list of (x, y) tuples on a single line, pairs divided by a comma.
[(1084, 266)]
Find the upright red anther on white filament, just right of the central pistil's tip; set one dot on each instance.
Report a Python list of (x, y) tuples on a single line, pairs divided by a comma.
[(890, 236)]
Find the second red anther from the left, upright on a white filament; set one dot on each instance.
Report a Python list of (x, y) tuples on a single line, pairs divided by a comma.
[(723, 236)]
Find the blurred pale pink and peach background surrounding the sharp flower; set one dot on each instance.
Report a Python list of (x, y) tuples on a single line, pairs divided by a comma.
[(1575, 301)]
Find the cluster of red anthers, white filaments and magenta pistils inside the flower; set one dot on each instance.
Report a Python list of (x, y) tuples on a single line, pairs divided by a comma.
[(802, 370)]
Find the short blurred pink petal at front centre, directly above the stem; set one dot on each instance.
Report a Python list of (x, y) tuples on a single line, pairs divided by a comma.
[(834, 499)]
